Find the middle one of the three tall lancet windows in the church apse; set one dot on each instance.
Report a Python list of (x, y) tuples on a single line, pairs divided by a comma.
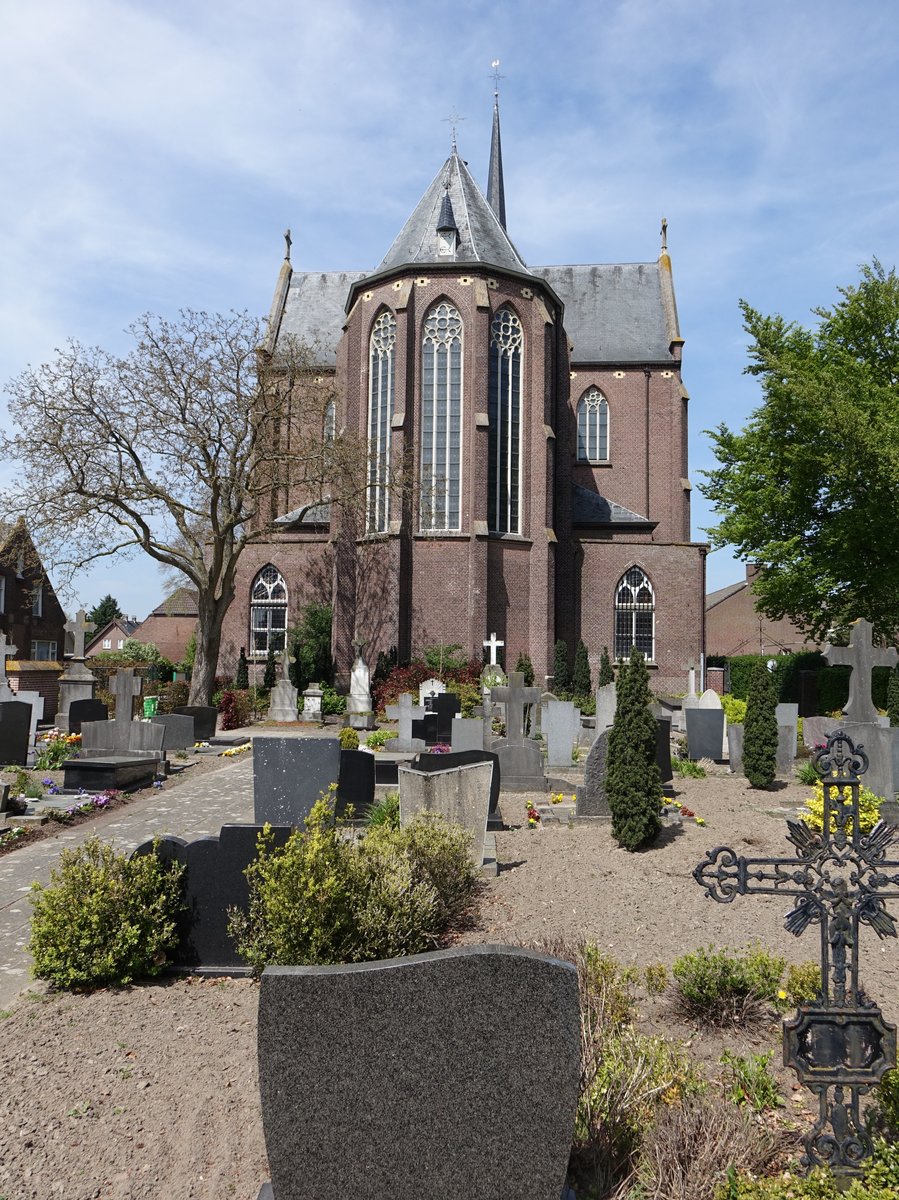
[(442, 419)]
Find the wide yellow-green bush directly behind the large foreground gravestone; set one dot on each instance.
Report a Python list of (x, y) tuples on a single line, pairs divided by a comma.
[(323, 898)]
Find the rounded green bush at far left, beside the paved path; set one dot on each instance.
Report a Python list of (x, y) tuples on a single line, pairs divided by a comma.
[(105, 920)]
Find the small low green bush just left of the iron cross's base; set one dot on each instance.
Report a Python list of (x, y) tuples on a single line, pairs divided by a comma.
[(722, 986)]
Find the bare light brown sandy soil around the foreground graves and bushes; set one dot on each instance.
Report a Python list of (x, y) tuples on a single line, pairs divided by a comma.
[(152, 1091)]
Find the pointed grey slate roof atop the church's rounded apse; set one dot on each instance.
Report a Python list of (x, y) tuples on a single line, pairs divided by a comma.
[(482, 237)]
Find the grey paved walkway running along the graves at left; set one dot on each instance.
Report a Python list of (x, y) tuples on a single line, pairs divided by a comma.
[(189, 811)]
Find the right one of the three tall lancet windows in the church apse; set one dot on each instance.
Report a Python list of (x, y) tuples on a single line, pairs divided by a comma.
[(505, 412)]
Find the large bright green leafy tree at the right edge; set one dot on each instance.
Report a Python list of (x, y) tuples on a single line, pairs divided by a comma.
[(808, 489)]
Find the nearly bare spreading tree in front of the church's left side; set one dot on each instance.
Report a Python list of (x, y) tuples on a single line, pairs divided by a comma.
[(185, 449)]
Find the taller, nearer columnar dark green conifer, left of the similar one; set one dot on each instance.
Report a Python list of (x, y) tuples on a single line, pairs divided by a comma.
[(633, 779)]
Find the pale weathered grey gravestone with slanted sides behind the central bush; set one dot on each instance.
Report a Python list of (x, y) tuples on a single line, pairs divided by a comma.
[(460, 795)]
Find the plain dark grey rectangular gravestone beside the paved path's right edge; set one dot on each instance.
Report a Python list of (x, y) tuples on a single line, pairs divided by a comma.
[(290, 775)]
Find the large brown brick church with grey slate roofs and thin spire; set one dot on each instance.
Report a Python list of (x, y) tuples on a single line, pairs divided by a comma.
[(542, 413)]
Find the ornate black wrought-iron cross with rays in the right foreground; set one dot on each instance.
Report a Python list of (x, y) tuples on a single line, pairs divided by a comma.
[(841, 880)]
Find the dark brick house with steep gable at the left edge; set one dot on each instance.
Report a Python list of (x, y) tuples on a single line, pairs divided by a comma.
[(32, 617)]
